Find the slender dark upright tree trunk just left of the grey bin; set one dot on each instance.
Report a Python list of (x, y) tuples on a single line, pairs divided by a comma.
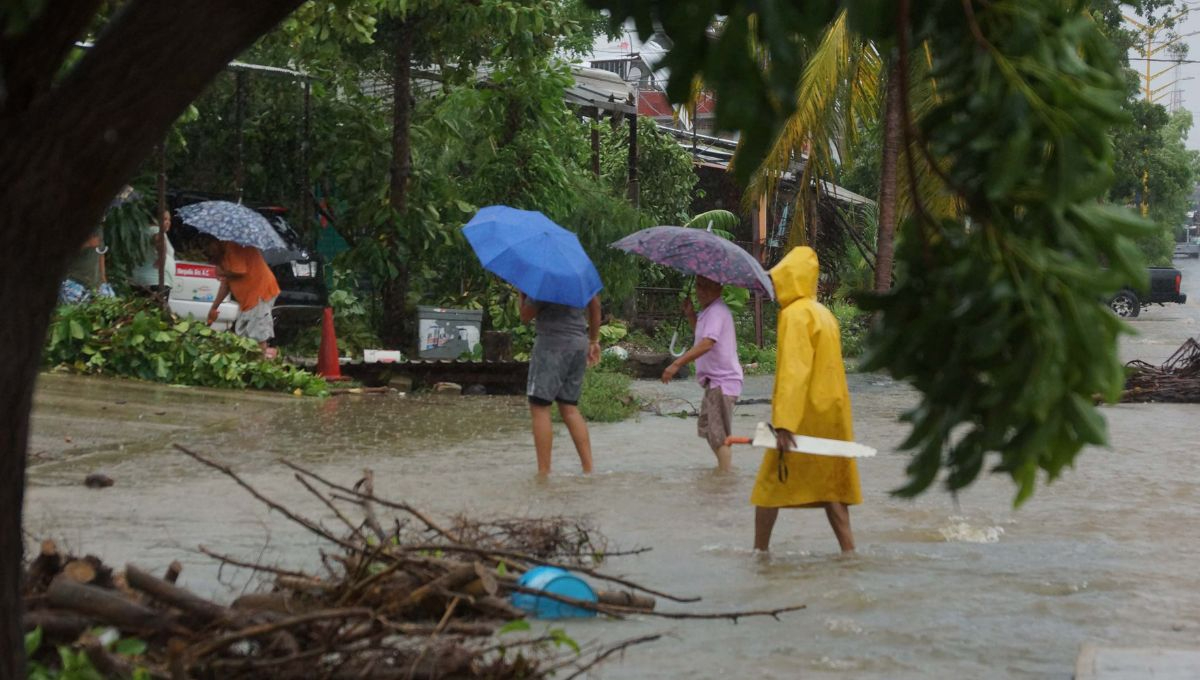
[(395, 292)]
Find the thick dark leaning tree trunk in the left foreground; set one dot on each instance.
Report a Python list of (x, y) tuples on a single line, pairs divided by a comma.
[(64, 154)]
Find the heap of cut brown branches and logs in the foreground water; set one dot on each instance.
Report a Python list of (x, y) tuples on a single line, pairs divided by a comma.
[(410, 600)]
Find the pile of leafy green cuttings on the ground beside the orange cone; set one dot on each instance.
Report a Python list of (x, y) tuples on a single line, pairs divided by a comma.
[(135, 339)]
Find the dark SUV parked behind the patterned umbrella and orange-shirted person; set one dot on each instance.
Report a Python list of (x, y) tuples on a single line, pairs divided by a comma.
[(298, 270)]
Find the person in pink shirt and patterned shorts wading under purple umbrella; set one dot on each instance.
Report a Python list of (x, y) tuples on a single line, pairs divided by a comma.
[(718, 370)]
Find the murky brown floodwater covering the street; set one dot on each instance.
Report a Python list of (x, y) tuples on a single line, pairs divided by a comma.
[(940, 588)]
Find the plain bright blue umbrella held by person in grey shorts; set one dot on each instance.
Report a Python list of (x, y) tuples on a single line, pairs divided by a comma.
[(541, 258)]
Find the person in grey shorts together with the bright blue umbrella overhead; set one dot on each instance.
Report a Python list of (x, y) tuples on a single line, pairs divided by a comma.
[(559, 287)]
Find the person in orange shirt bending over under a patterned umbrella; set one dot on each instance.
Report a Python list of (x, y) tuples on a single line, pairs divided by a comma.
[(244, 273)]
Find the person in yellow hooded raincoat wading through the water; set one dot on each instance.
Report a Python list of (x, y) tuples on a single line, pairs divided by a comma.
[(811, 399)]
